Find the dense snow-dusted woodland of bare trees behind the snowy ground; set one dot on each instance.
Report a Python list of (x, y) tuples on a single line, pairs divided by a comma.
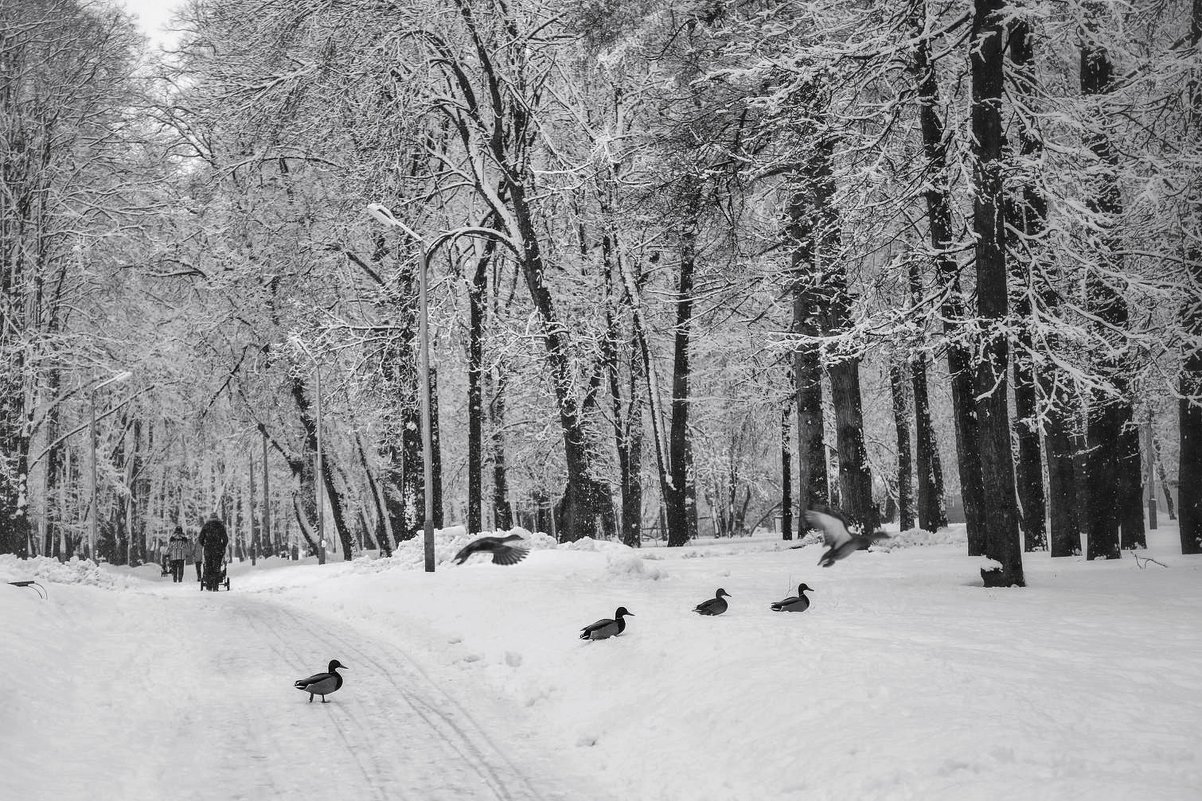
[(694, 266)]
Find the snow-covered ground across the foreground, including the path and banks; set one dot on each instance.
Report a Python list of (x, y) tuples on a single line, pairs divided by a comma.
[(906, 679)]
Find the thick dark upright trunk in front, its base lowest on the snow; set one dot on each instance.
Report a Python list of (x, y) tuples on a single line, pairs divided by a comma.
[(990, 227)]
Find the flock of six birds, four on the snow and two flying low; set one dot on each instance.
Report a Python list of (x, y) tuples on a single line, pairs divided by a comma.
[(841, 544)]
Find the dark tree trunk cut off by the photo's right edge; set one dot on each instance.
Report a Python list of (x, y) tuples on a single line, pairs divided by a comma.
[(1189, 474)]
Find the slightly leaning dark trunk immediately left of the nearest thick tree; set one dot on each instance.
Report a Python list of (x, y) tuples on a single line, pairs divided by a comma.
[(939, 217)]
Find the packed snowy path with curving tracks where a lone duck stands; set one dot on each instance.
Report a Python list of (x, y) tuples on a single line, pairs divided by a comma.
[(192, 696)]
